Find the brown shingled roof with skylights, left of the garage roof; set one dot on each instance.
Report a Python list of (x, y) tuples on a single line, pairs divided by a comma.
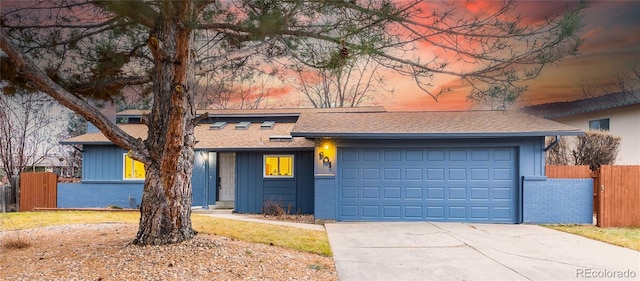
[(226, 138)]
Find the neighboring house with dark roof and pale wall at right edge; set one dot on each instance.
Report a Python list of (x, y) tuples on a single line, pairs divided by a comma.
[(617, 113)]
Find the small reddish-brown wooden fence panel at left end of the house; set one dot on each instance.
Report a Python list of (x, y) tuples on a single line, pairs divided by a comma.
[(38, 190)]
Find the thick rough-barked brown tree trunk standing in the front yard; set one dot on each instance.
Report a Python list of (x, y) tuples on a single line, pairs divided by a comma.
[(166, 201)]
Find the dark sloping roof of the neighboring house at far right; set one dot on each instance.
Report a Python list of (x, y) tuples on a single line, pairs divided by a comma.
[(564, 109)]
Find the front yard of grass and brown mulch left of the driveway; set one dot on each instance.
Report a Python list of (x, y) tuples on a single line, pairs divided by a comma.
[(96, 246)]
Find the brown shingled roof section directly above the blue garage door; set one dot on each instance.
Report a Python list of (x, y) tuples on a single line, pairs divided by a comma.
[(436, 124)]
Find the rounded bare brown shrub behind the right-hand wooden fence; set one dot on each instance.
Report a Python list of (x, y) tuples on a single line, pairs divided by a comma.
[(596, 148)]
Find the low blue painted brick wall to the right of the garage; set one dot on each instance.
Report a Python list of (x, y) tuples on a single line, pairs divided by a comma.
[(566, 201)]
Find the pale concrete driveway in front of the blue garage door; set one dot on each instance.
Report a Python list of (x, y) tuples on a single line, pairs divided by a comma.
[(462, 251)]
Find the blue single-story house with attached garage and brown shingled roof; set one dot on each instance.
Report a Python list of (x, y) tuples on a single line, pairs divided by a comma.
[(349, 164)]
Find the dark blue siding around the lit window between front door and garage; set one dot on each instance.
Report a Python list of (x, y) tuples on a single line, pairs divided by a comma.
[(252, 189)]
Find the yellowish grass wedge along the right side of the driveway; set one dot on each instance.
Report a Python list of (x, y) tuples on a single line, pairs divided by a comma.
[(628, 237)]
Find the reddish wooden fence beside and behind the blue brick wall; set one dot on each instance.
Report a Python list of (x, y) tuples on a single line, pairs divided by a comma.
[(616, 192)]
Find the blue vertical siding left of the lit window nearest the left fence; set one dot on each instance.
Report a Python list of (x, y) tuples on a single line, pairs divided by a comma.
[(102, 163)]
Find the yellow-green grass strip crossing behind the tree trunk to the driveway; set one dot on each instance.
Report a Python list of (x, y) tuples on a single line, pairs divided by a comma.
[(288, 237)]
